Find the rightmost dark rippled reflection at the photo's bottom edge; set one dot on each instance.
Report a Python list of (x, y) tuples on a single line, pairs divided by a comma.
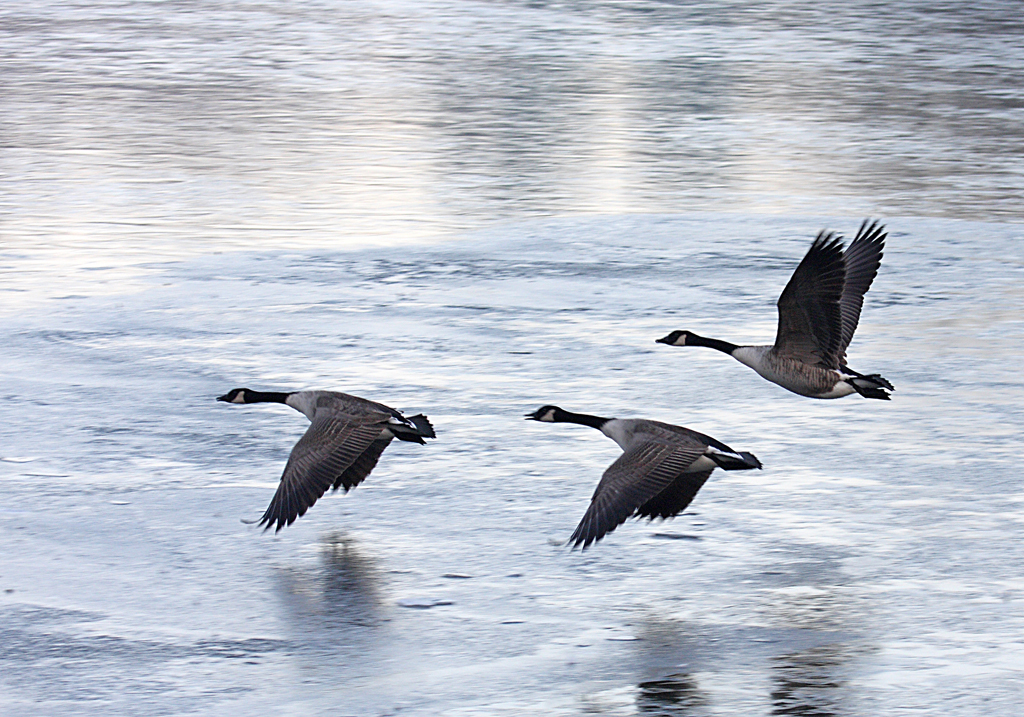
[(808, 684)]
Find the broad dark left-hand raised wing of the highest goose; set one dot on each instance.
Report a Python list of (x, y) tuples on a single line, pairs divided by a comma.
[(810, 320)]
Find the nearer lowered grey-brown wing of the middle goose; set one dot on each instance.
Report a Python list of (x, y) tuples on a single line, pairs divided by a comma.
[(644, 472)]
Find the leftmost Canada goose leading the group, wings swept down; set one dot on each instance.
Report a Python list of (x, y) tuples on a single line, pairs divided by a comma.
[(344, 444)]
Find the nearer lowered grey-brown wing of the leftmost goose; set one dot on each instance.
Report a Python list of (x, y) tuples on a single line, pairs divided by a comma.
[(323, 455)]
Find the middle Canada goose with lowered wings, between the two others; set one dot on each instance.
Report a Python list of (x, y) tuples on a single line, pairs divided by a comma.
[(661, 470)]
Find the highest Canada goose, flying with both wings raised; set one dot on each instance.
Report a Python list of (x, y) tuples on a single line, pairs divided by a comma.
[(818, 315)]
